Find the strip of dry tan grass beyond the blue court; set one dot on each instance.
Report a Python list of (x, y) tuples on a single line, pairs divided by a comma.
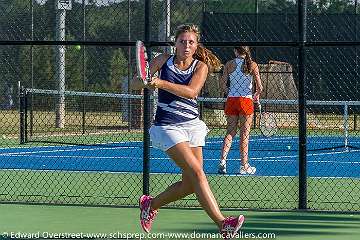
[(45, 121)]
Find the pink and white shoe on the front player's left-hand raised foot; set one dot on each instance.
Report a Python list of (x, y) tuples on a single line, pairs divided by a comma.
[(147, 215)]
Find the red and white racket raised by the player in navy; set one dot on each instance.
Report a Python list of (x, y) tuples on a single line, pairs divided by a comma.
[(142, 64)]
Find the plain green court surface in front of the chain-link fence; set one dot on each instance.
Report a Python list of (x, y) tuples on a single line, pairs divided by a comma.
[(45, 220)]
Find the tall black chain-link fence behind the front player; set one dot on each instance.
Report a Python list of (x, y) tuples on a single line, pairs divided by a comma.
[(72, 129)]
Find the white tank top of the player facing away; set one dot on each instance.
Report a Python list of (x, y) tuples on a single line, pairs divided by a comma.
[(240, 84)]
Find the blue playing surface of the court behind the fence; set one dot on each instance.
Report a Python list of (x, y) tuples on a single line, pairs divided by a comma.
[(271, 156)]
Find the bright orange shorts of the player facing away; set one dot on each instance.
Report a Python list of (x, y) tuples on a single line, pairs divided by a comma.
[(239, 106)]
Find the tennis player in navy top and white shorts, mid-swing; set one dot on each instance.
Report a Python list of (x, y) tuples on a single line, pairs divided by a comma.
[(177, 129)]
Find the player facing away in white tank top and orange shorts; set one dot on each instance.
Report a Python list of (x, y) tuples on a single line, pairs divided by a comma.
[(239, 107)]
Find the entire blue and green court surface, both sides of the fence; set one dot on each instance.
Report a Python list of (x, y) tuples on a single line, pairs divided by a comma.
[(74, 169)]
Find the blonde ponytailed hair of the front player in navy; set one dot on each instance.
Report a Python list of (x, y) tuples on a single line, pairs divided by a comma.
[(203, 54)]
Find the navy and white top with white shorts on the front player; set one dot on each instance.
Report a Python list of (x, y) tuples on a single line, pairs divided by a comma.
[(177, 118)]
